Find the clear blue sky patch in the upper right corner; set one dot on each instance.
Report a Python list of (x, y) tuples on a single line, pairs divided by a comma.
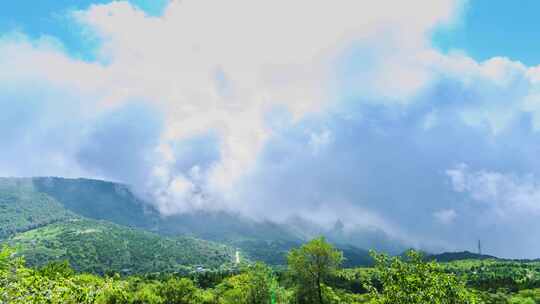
[(495, 28)]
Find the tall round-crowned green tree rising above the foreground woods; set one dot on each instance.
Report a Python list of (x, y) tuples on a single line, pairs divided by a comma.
[(311, 265)]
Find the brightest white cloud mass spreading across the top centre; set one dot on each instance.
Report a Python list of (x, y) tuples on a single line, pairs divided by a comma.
[(223, 65)]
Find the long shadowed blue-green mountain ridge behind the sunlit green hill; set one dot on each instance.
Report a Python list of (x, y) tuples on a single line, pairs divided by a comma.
[(258, 240)]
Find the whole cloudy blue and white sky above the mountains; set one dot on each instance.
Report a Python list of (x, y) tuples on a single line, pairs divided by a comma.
[(420, 120)]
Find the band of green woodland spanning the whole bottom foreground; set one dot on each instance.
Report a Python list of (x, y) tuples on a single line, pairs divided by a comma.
[(313, 275)]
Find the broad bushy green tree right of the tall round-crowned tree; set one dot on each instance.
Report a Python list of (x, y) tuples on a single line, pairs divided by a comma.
[(413, 281)]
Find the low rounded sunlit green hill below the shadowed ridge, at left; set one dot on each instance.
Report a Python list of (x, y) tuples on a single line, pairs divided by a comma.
[(100, 246)]
